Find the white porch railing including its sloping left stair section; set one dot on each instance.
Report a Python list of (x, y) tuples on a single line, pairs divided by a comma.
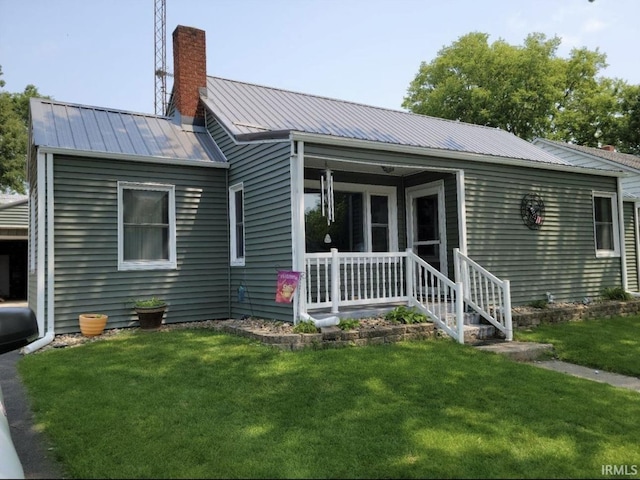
[(336, 279)]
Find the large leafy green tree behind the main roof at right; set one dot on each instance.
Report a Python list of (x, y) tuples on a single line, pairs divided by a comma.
[(527, 90)]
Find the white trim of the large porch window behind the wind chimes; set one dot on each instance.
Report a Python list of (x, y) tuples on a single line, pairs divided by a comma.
[(368, 190)]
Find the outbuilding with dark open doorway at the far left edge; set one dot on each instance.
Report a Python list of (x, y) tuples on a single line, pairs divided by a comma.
[(14, 222)]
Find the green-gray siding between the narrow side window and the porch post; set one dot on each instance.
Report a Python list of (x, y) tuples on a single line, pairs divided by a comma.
[(265, 172)]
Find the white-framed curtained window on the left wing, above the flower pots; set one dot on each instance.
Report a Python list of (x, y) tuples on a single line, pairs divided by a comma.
[(146, 226)]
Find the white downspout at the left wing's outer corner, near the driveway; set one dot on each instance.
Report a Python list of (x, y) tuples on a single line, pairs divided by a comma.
[(45, 212)]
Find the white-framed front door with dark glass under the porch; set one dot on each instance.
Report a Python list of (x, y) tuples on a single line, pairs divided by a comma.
[(426, 224)]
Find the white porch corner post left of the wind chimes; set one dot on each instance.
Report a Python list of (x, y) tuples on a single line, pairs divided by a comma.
[(297, 226)]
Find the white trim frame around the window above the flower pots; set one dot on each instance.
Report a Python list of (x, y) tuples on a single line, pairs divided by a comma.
[(169, 264)]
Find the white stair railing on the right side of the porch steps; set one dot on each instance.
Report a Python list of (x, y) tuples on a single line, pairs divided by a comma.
[(485, 293)]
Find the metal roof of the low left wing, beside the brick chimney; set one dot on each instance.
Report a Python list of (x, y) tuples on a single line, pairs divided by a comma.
[(105, 131)]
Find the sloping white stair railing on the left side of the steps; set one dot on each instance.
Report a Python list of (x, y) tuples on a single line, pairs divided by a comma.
[(436, 296)]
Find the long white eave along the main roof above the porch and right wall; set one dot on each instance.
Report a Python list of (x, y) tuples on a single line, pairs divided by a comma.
[(452, 154)]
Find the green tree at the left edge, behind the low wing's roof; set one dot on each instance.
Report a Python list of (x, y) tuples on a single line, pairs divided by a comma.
[(14, 119)]
